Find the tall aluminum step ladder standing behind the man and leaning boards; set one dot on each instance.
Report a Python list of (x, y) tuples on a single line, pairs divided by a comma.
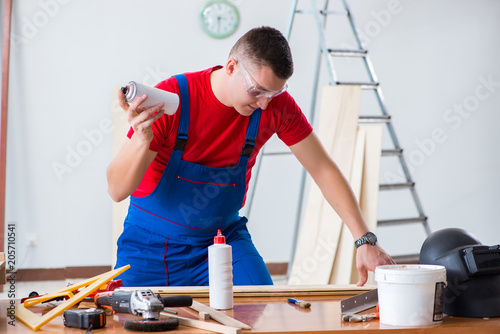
[(383, 117)]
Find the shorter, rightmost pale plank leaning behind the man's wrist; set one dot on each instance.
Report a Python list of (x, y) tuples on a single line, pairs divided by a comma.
[(368, 201)]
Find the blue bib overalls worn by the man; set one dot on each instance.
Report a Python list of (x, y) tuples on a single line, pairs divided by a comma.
[(166, 234)]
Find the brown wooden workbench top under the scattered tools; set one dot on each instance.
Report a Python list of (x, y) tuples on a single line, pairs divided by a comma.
[(272, 315)]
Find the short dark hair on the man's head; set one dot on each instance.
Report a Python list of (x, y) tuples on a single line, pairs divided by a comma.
[(265, 46)]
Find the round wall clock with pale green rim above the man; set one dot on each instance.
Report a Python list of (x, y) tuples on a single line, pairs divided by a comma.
[(219, 18)]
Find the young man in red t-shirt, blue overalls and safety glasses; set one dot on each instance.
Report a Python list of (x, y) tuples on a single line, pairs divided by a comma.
[(188, 173)]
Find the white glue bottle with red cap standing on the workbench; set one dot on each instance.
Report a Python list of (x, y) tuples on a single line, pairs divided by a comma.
[(220, 273)]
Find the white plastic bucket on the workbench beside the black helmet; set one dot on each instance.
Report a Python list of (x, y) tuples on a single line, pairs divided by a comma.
[(410, 295)]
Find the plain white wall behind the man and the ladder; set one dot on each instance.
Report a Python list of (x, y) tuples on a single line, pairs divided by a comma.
[(67, 55)]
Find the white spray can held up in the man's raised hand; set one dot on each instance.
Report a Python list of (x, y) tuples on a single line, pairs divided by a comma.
[(134, 89)]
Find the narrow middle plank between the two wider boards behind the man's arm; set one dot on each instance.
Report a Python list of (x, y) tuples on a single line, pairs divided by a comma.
[(342, 266)]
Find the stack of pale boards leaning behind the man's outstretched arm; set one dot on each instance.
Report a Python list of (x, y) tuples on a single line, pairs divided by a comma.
[(325, 252)]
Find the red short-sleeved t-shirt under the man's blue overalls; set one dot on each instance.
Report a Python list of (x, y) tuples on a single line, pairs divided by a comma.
[(217, 133)]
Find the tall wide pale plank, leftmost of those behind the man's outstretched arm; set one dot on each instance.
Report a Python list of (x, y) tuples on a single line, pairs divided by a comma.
[(321, 227)]
